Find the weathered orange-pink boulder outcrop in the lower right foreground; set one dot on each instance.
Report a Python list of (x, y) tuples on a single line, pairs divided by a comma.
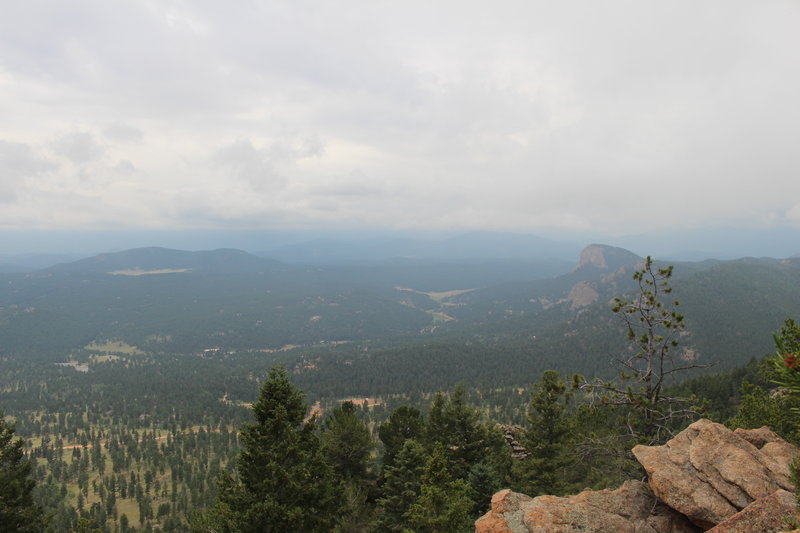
[(707, 478)]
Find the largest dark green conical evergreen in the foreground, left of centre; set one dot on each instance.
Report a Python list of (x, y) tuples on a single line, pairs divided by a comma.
[(283, 482)]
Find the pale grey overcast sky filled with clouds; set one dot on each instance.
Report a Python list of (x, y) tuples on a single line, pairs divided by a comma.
[(526, 116)]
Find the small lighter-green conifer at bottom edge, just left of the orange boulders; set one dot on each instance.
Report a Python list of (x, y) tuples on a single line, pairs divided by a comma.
[(444, 505)]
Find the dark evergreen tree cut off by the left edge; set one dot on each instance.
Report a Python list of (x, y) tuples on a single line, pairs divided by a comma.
[(18, 513)]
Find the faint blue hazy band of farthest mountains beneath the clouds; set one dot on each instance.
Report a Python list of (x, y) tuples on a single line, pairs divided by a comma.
[(370, 246)]
